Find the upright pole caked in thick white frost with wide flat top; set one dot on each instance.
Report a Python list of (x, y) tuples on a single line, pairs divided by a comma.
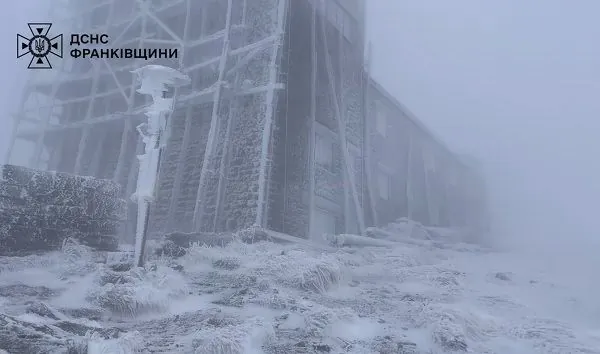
[(154, 80)]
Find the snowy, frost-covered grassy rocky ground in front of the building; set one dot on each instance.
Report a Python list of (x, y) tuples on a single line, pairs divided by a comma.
[(414, 297)]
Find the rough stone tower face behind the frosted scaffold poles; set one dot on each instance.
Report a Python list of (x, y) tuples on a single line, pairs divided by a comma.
[(230, 191)]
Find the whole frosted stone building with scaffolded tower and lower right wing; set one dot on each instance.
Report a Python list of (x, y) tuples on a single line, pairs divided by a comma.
[(275, 129)]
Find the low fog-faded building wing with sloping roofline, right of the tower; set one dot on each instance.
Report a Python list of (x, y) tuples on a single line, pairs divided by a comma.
[(414, 174)]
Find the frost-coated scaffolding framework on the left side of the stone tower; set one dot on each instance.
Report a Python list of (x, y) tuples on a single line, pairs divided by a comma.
[(81, 117)]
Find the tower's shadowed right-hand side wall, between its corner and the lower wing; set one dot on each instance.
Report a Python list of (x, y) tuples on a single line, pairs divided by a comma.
[(289, 200)]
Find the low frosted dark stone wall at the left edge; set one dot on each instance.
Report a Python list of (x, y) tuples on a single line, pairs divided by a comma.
[(39, 209)]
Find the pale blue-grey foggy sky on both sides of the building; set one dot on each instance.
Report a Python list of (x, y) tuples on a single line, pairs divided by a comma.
[(514, 83)]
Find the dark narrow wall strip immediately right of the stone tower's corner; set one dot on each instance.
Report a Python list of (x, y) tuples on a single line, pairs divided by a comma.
[(288, 198)]
